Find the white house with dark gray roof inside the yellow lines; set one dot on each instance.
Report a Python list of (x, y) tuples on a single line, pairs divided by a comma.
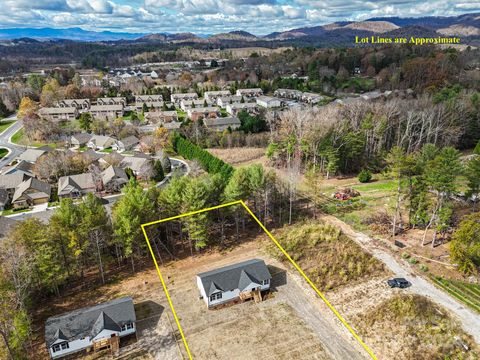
[(231, 282)]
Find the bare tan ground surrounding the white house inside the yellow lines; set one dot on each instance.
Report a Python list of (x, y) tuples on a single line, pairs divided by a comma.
[(292, 323)]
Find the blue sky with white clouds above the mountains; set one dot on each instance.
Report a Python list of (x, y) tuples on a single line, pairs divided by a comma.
[(213, 16)]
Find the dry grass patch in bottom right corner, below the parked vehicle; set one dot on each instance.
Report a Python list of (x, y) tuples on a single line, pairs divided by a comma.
[(409, 326)]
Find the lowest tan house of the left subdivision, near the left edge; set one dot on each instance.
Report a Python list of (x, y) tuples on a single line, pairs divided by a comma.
[(31, 192)]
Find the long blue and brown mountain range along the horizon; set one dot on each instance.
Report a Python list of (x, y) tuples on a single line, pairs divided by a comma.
[(466, 25)]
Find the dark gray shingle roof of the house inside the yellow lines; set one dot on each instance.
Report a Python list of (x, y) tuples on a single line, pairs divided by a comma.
[(236, 276)]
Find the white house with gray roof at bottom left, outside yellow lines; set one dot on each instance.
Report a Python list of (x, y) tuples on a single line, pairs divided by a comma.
[(95, 327)]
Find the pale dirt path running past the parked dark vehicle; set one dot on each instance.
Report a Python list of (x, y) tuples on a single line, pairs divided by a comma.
[(470, 321)]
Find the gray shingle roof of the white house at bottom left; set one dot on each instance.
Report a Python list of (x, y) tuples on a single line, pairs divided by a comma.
[(86, 321)]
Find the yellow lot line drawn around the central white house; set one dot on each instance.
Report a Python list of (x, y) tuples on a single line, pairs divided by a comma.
[(241, 202)]
